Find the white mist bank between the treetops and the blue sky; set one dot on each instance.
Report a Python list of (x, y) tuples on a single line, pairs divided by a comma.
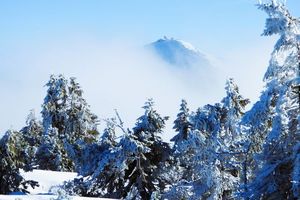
[(113, 75)]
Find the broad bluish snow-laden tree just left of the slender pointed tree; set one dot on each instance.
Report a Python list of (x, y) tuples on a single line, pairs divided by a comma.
[(202, 177)]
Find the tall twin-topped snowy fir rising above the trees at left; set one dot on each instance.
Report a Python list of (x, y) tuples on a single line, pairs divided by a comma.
[(67, 113)]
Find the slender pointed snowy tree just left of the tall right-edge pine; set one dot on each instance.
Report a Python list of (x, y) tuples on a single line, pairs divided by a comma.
[(231, 152)]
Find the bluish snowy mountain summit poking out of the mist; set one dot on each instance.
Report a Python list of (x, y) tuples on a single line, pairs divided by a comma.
[(178, 52)]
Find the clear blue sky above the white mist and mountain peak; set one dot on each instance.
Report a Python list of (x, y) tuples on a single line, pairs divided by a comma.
[(206, 24)]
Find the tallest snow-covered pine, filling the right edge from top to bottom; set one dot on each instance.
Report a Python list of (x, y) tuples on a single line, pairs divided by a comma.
[(278, 174)]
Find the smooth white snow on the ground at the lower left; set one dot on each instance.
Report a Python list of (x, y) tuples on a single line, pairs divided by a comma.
[(47, 180)]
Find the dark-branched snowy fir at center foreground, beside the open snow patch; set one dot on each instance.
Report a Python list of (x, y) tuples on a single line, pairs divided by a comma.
[(131, 167)]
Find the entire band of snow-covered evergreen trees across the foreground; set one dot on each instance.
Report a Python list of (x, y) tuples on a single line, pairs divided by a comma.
[(218, 151)]
